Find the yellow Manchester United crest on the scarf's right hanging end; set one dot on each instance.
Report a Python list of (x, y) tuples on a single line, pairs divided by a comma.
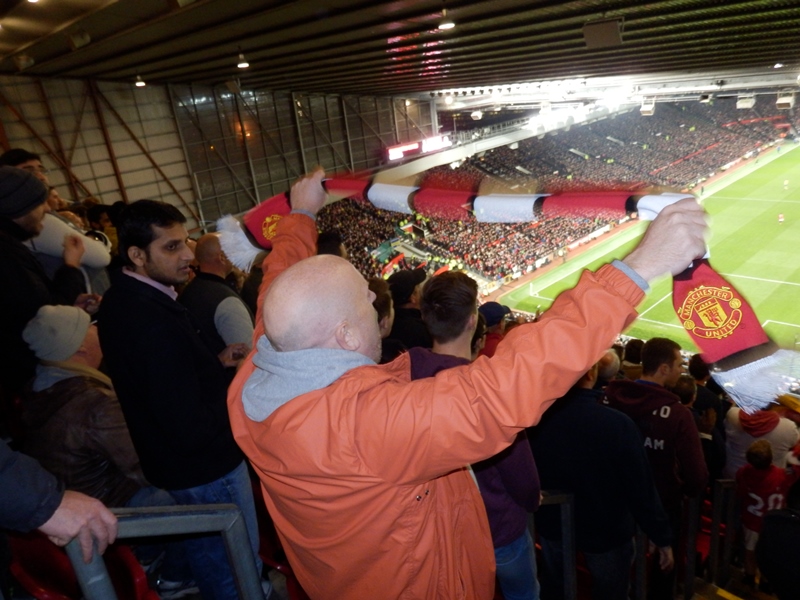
[(711, 312)]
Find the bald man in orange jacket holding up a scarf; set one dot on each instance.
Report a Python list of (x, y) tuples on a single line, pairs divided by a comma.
[(362, 467)]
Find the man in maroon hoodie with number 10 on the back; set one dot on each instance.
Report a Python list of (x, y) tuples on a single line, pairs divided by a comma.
[(668, 432)]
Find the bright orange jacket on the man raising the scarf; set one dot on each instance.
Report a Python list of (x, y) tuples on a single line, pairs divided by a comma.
[(365, 479)]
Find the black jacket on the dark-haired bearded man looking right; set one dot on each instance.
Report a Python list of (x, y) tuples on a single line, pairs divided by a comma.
[(172, 388)]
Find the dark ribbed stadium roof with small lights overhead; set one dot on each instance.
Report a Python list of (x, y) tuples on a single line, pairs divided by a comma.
[(396, 48)]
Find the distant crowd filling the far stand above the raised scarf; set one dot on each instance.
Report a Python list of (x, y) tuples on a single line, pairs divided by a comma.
[(678, 145)]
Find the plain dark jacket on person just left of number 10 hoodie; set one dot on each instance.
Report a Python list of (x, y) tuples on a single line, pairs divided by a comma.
[(596, 453)]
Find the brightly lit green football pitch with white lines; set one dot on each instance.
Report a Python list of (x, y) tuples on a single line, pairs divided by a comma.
[(756, 253)]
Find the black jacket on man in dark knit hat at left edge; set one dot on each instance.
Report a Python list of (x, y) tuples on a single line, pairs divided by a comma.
[(24, 289)]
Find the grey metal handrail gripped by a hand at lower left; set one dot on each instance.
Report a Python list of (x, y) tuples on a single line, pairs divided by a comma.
[(226, 519)]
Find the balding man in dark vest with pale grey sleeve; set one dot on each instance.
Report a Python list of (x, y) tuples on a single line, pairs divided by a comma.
[(216, 309)]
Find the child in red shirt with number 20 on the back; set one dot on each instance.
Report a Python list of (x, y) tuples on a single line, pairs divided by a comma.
[(761, 486)]
